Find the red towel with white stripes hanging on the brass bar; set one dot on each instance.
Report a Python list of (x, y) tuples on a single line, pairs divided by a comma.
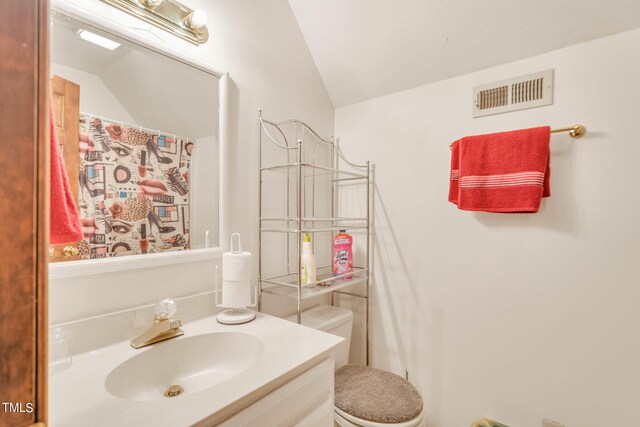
[(501, 172)]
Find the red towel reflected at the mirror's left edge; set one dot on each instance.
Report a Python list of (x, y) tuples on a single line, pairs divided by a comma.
[(64, 217)]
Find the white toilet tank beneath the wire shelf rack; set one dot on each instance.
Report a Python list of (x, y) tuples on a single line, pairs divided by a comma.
[(334, 320)]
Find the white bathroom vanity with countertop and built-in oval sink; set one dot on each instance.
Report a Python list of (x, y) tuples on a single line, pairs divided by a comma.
[(241, 375)]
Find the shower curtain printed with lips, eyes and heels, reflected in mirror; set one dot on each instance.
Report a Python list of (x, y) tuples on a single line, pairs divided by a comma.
[(133, 189)]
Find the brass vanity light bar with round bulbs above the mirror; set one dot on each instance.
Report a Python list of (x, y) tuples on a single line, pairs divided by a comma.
[(169, 15)]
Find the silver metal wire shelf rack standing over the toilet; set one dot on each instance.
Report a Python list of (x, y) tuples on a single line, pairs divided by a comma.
[(303, 173)]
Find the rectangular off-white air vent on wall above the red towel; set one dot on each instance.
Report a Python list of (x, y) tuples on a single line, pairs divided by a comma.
[(519, 93)]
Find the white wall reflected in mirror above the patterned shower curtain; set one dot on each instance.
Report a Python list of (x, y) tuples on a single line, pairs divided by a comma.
[(95, 96)]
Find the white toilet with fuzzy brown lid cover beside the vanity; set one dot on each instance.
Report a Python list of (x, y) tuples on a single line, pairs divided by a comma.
[(339, 321)]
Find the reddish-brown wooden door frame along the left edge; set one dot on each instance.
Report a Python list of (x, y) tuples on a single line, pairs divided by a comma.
[(24, 120)]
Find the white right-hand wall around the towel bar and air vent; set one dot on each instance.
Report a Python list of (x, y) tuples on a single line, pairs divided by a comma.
[(522, 316)]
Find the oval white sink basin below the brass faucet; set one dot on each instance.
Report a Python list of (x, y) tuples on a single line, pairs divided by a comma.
[(193, 363)]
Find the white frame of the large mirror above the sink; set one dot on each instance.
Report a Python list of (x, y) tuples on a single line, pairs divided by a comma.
[(103, 16)]
